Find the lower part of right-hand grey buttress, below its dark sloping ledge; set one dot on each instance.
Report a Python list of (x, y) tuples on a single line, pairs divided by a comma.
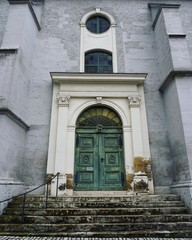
[(181, 110)]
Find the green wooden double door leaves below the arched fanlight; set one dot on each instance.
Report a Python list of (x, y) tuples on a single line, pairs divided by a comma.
[(99, 162)]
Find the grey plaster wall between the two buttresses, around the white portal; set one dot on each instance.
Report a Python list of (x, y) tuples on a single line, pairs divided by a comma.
[(55, 52)]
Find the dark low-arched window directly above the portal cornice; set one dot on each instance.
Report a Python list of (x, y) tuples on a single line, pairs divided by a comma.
[(98, 62)]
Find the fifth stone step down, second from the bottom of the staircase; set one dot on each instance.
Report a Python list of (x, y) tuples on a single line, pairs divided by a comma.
[(96, 227)]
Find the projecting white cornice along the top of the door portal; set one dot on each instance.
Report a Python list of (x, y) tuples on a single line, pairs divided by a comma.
[(132, 78)]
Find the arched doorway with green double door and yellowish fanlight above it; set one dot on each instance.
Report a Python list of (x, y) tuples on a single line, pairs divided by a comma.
[(99, 157)]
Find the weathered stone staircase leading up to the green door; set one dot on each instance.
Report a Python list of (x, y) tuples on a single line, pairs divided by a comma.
[(106, 216)]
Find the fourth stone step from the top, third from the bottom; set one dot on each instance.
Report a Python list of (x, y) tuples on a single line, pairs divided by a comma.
[(97, 219)]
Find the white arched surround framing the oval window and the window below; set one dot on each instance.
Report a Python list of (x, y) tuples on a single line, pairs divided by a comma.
[(104, 41)]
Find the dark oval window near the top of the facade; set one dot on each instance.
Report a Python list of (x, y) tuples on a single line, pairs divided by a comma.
[(97, 24)]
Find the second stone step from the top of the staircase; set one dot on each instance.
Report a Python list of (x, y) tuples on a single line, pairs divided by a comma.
[(122, 204)]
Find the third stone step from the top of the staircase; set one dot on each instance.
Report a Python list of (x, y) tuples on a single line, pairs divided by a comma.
[(97, 211)]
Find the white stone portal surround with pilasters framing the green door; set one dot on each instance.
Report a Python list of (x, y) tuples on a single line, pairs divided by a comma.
[(75, 92)]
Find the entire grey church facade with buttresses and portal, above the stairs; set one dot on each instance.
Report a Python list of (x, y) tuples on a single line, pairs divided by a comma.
[(98, 92)]
